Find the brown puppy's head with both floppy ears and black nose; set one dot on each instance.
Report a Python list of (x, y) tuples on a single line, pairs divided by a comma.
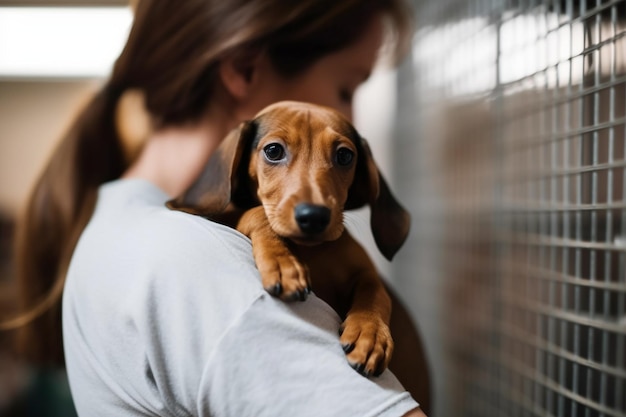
[(305, 164)]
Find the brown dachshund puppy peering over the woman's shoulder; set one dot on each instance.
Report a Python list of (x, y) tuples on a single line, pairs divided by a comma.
[(284, 180)]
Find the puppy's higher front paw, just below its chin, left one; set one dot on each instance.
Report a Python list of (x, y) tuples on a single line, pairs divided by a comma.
[(285, 277)]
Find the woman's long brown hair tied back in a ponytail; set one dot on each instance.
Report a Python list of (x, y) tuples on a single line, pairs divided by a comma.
[(171, 56)]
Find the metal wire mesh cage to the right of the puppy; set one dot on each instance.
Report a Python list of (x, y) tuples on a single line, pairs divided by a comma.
[(512, 118)]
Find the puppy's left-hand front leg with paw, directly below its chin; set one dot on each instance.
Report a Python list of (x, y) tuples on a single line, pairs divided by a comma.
[(281, 272)]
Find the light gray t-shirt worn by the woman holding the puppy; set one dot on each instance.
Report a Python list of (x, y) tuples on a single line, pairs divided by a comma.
[(164, 314)]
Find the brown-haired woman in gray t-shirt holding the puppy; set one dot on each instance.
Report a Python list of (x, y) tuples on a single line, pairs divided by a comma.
[(163, 312)]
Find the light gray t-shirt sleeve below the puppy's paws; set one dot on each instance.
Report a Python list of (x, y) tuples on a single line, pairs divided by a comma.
[(284, 359)]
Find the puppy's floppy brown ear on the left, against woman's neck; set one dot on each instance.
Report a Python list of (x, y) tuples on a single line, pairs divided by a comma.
[(223, 179)]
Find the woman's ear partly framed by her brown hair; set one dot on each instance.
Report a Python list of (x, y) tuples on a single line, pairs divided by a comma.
[(239, 72)]
